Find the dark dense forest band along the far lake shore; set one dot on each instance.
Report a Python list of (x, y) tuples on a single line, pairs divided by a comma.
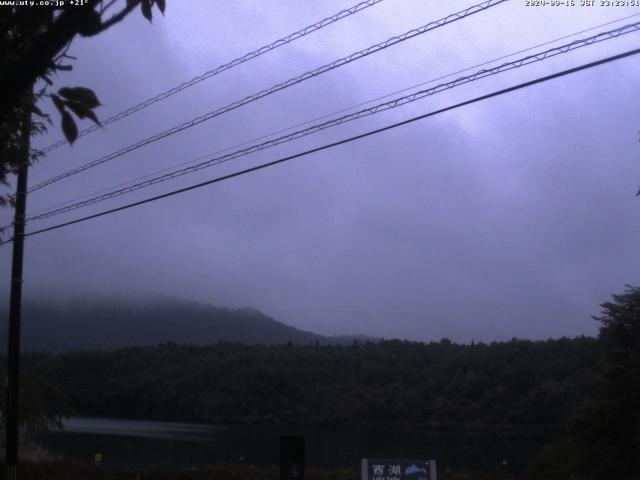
[(509, 385)]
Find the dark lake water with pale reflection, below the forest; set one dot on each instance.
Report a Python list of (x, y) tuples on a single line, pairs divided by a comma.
[(151, 443)]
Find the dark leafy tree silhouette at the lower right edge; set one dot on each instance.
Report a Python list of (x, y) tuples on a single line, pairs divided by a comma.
[(603, 441)]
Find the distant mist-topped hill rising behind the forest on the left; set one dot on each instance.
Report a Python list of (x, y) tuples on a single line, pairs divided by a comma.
[(106, 325)]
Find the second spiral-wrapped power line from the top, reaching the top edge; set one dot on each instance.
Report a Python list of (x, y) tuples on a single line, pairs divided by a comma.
[(275, 88)]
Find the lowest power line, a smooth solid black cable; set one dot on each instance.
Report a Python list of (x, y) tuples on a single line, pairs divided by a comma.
[(340, 142)]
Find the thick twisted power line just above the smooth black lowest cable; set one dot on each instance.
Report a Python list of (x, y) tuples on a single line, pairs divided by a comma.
[(350, 117)]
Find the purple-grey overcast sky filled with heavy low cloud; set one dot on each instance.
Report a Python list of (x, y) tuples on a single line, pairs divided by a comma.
[(516, 216)]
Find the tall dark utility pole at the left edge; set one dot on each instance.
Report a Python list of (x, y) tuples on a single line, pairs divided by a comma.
[(15, 305)]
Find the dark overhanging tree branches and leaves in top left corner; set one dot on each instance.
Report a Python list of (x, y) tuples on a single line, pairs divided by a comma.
[(33, 48)]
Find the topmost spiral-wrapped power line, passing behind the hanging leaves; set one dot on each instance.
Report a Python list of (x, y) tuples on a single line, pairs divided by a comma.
[(227, 66)]
